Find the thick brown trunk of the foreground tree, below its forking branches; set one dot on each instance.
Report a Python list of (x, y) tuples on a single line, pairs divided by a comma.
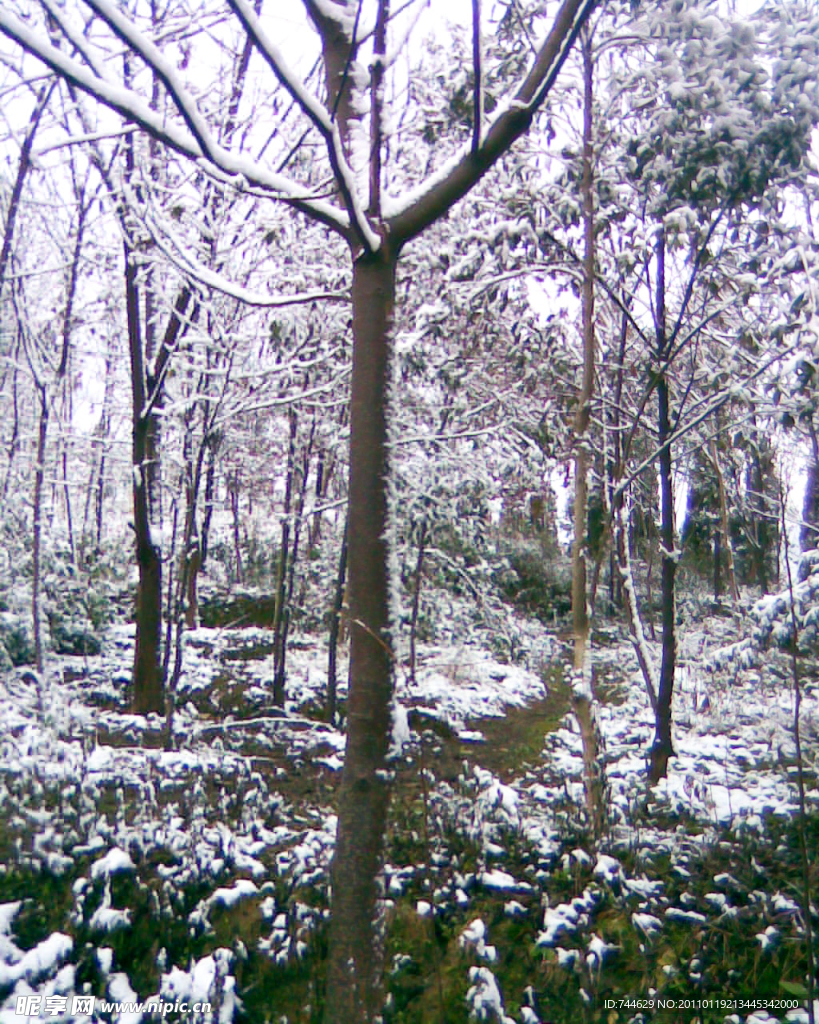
[(354, 994)]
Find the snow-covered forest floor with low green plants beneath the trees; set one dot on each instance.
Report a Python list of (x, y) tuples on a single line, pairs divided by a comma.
[(238, 817)]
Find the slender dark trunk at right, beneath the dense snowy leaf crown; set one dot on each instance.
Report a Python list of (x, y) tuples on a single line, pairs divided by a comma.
[(663, 748)]
